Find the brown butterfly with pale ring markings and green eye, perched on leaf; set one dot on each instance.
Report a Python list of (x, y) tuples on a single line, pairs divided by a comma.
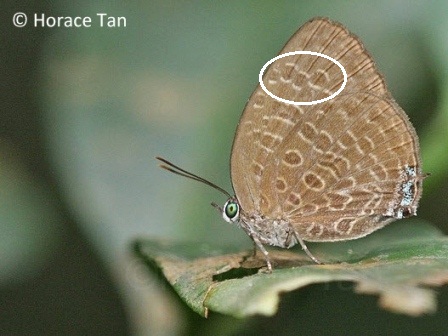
[(327, 172)]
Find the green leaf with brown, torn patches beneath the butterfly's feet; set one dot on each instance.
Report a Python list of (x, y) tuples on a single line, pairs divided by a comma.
[(398, 263)]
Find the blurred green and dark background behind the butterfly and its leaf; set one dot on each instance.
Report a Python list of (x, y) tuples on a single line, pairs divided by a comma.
[(85, 110)]
